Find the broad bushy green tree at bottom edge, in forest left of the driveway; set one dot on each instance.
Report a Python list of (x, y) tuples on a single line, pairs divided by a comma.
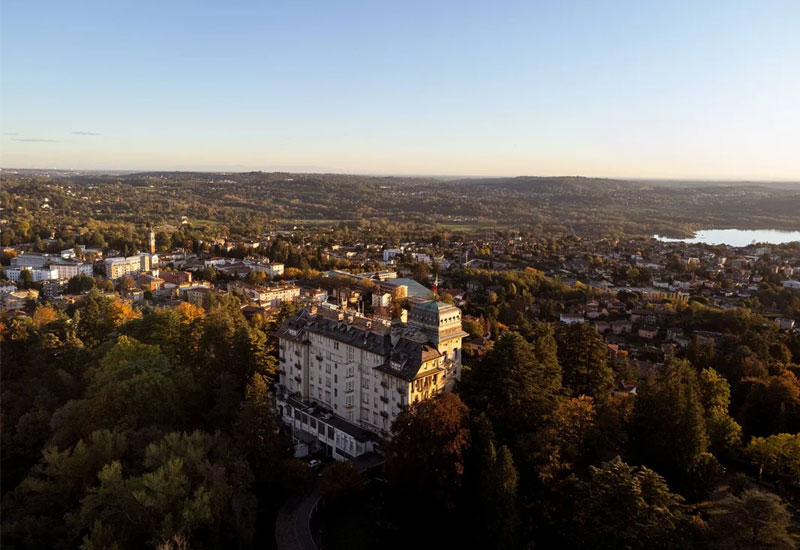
[(190, 484)]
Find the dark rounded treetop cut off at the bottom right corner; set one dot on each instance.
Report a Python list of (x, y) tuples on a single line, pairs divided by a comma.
[(754, 520)]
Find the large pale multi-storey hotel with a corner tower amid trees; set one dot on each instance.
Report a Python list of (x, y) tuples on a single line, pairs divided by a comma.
[(344, 378)]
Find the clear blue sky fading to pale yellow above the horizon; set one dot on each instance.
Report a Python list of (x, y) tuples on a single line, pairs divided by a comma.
[(598, 88)]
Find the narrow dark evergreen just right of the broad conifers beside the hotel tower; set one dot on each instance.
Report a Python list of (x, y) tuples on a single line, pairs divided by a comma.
[(583, 356)]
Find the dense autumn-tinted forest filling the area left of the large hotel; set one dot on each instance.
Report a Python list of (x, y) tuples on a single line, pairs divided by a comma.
[(128, 431)]
